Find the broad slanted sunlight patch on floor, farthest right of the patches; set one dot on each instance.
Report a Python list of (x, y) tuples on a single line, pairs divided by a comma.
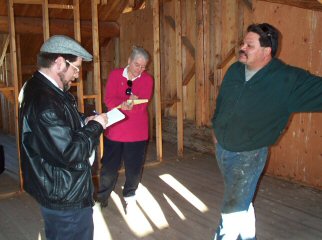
[(184, 192)]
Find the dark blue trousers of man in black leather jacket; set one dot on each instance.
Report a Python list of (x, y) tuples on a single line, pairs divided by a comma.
[(76, 224)]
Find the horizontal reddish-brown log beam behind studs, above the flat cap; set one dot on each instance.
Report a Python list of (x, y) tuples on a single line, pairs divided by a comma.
[(27, 25)]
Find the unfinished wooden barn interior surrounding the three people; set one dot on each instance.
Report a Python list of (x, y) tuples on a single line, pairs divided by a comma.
[(192, 44)]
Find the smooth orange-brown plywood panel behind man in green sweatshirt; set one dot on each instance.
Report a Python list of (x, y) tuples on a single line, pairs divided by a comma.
[(298, 154)]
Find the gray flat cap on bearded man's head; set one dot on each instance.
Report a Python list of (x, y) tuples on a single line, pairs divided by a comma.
[(65, 45)]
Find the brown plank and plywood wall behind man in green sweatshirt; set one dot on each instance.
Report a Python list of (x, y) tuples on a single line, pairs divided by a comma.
[(298, 155)]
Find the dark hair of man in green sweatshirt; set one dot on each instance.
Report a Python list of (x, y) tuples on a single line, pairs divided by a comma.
[(268, 35)]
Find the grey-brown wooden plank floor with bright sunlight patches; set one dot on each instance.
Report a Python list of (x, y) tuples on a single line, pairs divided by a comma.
[(177, 199)]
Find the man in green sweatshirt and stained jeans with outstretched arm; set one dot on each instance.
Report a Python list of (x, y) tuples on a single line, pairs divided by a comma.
[(257, 96)]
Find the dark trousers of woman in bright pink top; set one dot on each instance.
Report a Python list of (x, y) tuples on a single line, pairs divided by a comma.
[(133, 155)]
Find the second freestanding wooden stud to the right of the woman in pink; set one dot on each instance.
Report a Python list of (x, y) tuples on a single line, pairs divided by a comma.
[(179, 77)]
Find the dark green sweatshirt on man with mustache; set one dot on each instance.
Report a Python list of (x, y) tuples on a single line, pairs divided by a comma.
[(253, 114)]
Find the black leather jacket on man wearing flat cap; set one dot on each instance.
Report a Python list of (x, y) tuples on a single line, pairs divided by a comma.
[(55, 147)]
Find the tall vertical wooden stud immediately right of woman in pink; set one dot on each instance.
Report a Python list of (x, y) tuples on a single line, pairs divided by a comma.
[(157, 77)]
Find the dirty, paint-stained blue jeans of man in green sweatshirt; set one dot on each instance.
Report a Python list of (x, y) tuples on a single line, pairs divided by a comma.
[(241, 172)]
